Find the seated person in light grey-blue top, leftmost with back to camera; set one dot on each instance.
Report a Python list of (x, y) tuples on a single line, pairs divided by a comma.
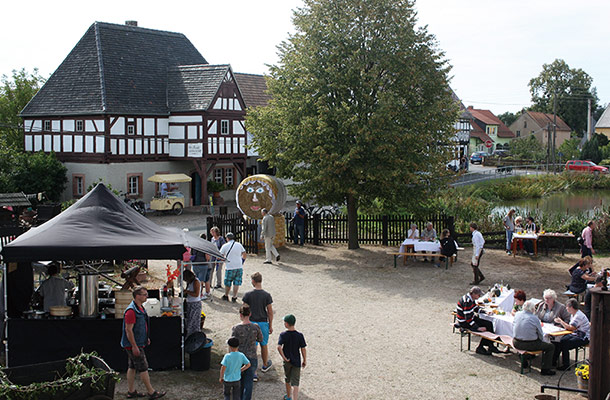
[(527, 335)]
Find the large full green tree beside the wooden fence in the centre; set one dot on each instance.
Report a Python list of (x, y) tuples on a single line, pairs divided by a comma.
[(360, 108)]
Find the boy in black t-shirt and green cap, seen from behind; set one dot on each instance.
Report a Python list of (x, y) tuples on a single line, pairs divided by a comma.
[(289, 345)]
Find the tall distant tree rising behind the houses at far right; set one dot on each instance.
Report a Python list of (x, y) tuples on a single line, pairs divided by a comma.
[(571, 88)]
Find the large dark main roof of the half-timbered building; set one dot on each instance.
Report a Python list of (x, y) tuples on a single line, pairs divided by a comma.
[(114, 69)]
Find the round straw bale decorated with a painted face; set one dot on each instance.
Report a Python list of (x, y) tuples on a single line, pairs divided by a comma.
[(260, 191)]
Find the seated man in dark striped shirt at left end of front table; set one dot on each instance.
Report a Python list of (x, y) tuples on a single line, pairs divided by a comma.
[(466, 316)]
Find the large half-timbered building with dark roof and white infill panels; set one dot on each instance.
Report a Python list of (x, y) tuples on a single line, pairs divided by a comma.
[(129, 102)]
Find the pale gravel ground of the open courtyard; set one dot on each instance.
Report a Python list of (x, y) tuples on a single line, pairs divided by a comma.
[(375, 332)]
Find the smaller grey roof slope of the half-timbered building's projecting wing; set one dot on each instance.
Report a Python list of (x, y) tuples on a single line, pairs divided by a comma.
[(193, 87)]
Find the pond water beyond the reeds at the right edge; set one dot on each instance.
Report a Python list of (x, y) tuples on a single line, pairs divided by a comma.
[(568, 202)]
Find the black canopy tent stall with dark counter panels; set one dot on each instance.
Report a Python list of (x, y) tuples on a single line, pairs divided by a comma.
[(99, 226)]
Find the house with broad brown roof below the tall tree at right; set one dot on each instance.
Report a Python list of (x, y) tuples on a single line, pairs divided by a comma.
[(537, 124)]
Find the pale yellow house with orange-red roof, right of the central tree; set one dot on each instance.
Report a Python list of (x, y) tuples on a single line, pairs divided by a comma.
[(487, 128)]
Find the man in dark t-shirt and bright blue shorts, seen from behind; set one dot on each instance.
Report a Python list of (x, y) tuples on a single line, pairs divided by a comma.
[(262, 314)]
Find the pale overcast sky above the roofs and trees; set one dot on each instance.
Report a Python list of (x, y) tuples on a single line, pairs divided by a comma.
[(494, 46)]
